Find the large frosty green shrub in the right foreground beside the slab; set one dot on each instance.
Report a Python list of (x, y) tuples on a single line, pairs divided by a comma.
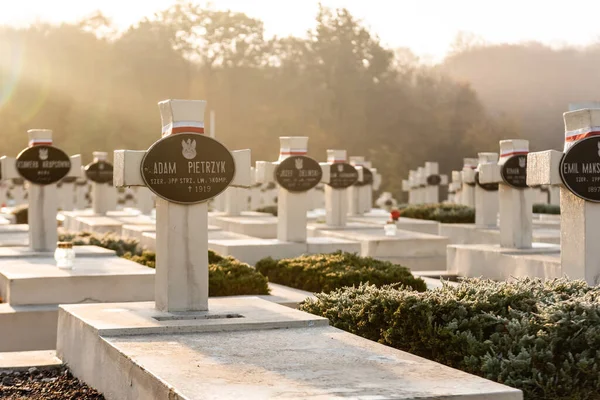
[(540, 337)]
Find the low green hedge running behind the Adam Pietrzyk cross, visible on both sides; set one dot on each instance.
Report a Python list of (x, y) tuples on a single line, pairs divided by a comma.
[(226, 275)]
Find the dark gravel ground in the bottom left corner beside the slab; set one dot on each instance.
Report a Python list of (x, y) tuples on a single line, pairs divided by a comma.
[(44, 384)]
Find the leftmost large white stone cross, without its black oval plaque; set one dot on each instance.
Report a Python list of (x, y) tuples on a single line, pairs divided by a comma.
[(43, 199)]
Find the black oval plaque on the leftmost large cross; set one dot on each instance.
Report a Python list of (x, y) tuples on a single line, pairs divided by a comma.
[(43, 165)]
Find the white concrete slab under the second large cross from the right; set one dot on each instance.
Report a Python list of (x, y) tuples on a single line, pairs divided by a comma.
[(494, 262)]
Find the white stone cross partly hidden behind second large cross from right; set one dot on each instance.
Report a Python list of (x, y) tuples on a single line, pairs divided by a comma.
[(486, 201)]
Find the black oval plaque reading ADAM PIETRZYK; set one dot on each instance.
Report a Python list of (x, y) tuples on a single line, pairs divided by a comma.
[(187, 168)]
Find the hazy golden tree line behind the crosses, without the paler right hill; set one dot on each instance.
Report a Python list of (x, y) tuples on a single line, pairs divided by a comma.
[(338, 85)]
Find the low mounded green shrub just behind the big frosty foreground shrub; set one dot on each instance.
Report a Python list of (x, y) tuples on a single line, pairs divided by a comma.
[(327, 272)]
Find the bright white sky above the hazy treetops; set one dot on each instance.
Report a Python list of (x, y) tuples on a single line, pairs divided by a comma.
[(427, 27)]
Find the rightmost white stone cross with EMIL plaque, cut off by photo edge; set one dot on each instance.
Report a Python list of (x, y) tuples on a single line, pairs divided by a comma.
[(580, 218)]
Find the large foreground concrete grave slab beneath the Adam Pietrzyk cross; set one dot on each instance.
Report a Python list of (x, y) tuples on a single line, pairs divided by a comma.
[(127, 352)]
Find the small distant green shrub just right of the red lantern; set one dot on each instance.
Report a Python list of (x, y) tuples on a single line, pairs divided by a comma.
[(446, 213)]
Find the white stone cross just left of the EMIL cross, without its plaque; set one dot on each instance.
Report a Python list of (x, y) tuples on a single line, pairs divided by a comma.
[(515, 203)]
